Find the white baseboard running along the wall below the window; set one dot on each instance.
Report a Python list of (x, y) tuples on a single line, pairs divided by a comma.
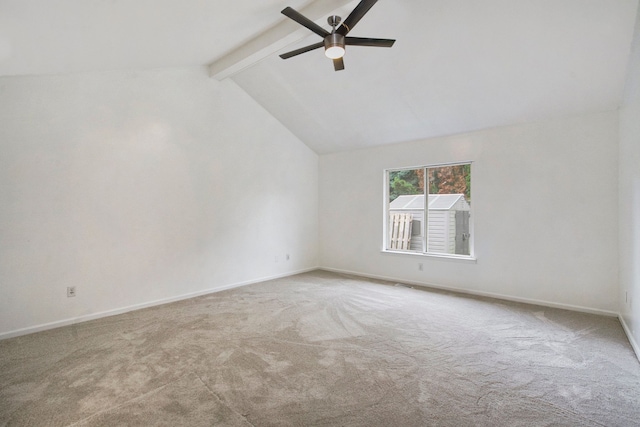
[(479, 293)]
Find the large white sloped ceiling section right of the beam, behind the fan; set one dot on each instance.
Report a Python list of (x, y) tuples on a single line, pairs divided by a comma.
[(457, 66)]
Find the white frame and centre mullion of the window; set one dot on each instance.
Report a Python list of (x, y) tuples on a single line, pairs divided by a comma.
[(424, 226)]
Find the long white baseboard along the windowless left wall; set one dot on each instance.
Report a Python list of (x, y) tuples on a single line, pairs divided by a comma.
[(93, 316)]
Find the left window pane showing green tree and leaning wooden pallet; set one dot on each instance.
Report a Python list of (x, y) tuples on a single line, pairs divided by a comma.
[(406, 210)]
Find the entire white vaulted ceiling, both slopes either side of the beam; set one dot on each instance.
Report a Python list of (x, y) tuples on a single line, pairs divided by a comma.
[(457, 65)]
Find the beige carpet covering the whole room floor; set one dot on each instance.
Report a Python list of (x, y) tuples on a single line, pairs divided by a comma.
[(325, 350)]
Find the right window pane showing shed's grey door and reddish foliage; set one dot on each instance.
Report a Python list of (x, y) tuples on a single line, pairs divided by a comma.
[(449, 209)]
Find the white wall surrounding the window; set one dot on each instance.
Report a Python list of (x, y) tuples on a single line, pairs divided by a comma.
[(545, 209)]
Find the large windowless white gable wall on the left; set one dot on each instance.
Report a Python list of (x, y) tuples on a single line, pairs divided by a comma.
[(143, 186)]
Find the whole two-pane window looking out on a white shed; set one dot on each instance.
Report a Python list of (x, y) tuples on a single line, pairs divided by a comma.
[(428, 210)]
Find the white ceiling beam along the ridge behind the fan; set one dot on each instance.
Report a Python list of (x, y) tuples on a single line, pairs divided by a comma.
[(281, 35)]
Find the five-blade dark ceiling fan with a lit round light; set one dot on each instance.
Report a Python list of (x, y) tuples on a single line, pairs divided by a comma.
[(335, 41)]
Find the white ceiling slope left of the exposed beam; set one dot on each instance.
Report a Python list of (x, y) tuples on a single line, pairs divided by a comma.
[(70, 36)]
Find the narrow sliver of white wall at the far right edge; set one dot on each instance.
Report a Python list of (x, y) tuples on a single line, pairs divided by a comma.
[(630, 196)]
